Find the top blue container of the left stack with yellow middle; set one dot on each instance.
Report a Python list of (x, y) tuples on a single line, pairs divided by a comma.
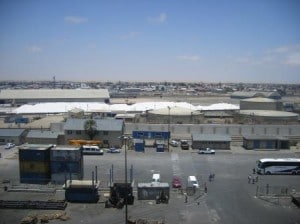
[(34, 152)]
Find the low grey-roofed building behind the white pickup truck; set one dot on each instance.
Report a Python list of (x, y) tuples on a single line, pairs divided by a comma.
[(213, 141)]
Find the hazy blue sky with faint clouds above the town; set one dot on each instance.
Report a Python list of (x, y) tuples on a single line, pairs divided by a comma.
[(155, 40)]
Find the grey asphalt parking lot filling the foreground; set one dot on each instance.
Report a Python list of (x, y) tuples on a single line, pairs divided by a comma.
[(229, 198)]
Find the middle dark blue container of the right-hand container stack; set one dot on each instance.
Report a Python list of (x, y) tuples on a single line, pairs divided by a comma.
[(66, 167)]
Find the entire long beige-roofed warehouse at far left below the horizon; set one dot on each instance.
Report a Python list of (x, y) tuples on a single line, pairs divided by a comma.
[(19, 97)]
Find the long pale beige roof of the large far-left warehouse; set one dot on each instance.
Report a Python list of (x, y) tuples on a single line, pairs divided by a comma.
[(53, 93)]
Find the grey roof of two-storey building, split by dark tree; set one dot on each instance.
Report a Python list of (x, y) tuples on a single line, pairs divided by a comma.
[(102, 124)]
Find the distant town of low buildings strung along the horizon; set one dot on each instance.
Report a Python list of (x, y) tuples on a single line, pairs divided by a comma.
[(135, 89)]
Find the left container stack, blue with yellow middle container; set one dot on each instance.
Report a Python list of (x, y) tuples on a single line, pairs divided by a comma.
[(34, 163)]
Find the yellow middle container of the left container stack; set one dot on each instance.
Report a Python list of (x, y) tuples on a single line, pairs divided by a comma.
[(35, 167)]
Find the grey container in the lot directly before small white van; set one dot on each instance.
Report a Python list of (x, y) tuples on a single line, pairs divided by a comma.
[(149, 191)]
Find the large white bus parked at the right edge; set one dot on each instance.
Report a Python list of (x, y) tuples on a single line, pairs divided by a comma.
[(278, 166)]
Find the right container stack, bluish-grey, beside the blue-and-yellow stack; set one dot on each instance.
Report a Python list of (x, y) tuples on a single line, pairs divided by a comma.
[(66, 163)]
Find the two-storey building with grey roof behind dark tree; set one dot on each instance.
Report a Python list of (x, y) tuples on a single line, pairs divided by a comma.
[(108, 131)]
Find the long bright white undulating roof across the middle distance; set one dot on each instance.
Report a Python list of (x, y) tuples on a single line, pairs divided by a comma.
[(62, 107)]
